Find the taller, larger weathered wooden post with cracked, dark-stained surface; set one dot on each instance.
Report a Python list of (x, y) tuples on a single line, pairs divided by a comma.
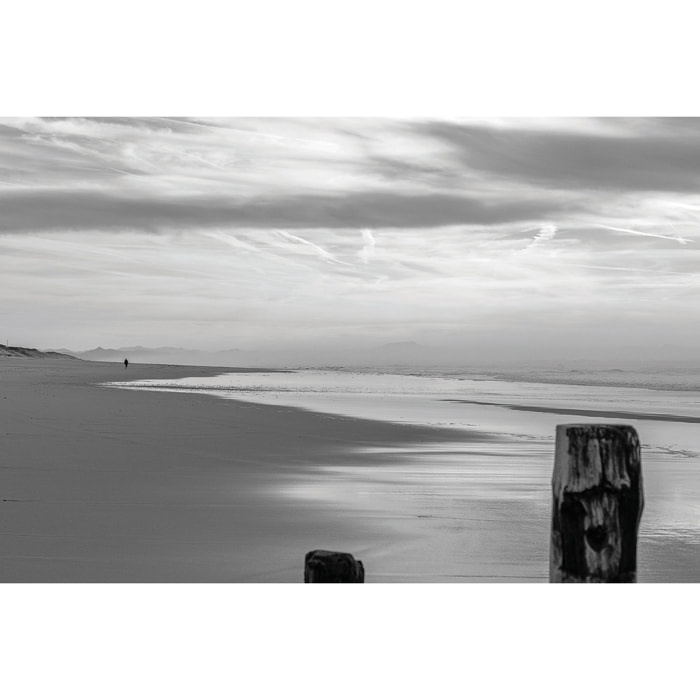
[(597, 504)]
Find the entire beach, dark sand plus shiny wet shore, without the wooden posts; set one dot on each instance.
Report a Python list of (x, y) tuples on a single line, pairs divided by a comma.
[(103, 484)]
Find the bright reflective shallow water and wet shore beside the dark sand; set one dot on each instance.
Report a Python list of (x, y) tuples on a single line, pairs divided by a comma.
[(478, 507)]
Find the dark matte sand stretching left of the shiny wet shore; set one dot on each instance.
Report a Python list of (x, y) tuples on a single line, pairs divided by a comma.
[(106, 485)]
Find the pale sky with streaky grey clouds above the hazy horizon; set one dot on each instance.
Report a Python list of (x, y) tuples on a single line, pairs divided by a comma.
[(505, 238)]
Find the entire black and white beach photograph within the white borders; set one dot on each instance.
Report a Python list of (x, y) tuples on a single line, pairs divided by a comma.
[(338, 350)]
